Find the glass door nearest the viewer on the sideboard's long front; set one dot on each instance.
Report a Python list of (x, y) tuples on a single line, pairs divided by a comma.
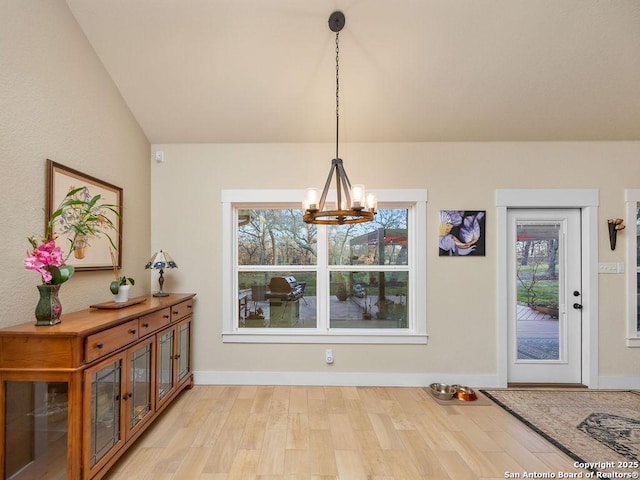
[(106, 386)]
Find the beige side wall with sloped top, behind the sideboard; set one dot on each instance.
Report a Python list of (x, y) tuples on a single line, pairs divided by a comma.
[(58, 102)]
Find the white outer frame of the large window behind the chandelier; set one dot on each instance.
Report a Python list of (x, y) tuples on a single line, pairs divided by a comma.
[(416, 333)]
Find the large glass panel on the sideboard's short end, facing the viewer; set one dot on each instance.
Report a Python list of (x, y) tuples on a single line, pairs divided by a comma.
[(35, 436)]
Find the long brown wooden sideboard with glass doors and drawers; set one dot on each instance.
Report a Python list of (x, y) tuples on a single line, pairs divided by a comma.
[(74, 396)]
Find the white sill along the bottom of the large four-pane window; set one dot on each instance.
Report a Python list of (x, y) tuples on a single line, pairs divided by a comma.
[(384, 337)]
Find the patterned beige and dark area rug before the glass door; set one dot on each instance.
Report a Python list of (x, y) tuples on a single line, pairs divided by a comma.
[(599, 429)]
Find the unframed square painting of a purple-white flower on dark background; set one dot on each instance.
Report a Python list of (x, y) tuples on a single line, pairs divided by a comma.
[(462, 233)]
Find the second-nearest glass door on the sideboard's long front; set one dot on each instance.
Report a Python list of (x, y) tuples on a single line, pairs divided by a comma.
[(139, 389)]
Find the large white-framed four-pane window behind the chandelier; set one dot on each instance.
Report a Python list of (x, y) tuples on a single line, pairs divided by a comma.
[(287, 281)]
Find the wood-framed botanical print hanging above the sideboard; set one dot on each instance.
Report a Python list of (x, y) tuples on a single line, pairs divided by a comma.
[(90, 250)]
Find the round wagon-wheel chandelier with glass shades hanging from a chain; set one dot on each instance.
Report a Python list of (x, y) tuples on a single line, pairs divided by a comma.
[(353, 204)]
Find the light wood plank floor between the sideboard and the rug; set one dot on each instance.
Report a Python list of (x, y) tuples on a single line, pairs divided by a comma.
[(347, 433)]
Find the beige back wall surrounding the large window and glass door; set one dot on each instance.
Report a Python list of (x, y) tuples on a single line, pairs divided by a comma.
[(461, 294)]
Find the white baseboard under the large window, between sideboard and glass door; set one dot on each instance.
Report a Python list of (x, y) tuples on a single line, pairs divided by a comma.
[(342, 379)]
